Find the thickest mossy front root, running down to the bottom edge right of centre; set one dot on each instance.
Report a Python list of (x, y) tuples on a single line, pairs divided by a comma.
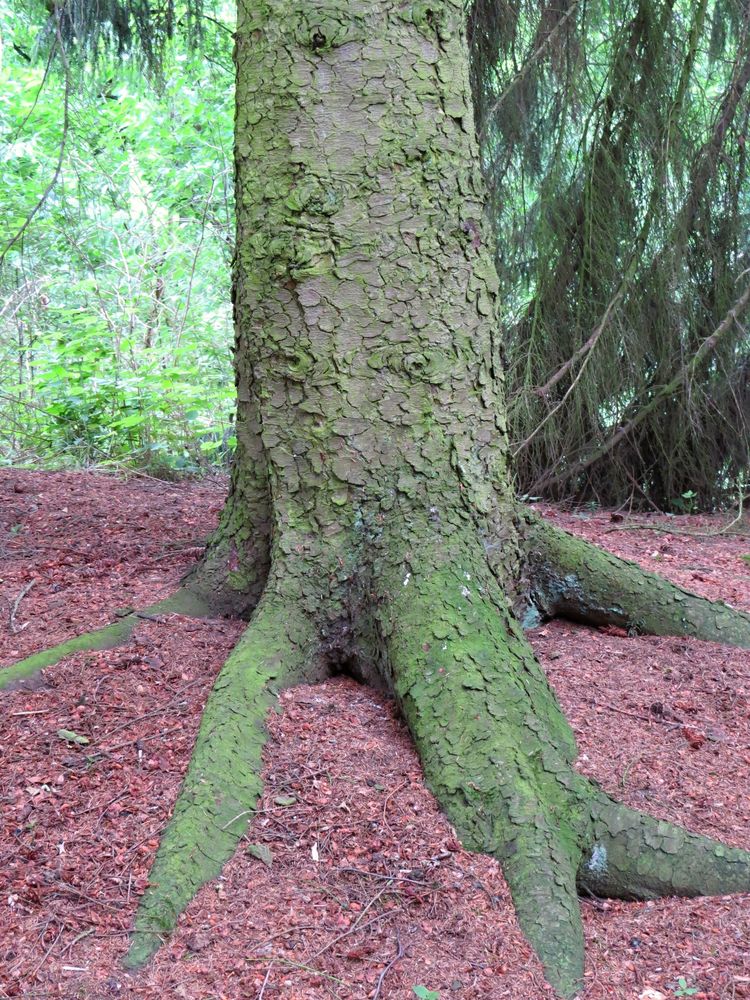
[(496, 749)]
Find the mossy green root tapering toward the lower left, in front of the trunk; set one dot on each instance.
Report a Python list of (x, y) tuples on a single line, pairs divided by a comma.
[(223, 783)]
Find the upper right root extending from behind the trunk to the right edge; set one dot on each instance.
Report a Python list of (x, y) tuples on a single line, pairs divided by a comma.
[(572, 578)]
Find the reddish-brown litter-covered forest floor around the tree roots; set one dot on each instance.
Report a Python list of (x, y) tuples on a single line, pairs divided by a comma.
[(350, 883)]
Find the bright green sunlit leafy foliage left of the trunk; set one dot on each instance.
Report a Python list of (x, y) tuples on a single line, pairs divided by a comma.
[(115, 316)]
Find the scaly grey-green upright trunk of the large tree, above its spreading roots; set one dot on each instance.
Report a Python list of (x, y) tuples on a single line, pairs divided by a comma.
[(365, 295)]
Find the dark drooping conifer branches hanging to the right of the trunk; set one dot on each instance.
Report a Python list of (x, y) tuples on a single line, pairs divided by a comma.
[(614, 145)]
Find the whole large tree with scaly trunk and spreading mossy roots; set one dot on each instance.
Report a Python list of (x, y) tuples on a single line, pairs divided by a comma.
[(371, 525)]
